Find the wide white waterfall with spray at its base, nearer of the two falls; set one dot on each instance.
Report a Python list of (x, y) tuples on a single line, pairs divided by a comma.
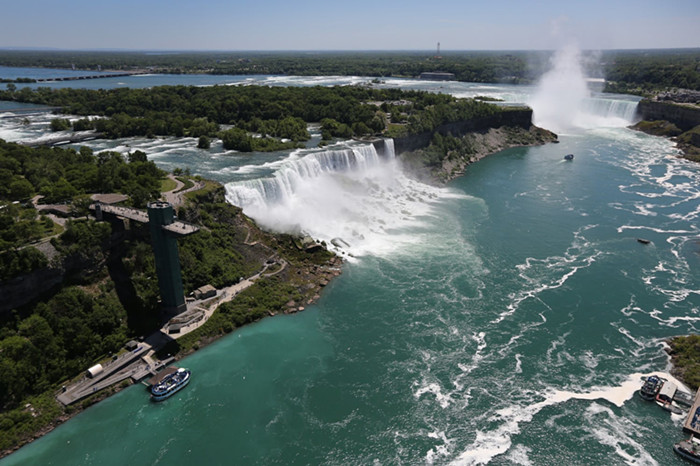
[(351, 192)]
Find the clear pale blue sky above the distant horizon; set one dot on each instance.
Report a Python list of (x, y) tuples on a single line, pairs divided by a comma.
[(350, 25)]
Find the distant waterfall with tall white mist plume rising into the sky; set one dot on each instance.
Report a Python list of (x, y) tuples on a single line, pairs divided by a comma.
[(563, 100)]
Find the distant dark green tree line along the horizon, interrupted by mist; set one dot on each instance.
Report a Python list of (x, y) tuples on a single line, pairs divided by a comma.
[(626, 70)]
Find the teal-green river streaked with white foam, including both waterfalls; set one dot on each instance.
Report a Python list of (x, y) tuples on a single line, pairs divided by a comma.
[(505, 318)]
